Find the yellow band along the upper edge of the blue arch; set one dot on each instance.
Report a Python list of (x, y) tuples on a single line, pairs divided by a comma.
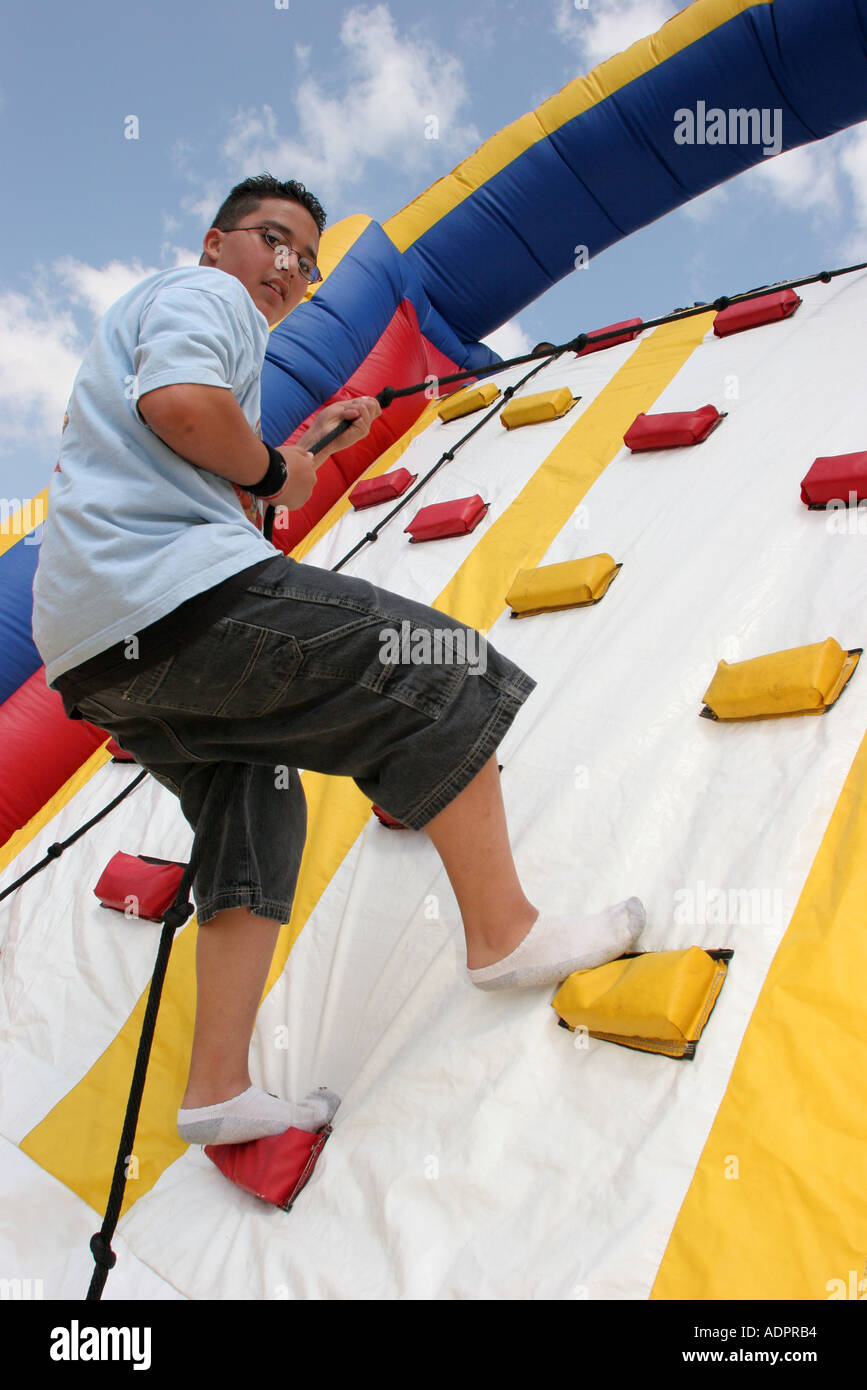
[(581, 95)]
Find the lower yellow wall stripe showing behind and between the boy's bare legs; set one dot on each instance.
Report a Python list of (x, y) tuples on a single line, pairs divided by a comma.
[(77, 1142)]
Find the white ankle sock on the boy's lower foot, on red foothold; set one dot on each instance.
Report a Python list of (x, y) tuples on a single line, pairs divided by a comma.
[(255, 1115)]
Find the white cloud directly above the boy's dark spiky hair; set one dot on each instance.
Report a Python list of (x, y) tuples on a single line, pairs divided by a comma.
[(394, 91)]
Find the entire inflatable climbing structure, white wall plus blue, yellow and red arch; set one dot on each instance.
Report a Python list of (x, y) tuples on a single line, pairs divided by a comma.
[(483, 1150)]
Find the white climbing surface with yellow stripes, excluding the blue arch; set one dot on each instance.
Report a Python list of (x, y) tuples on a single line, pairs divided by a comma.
[(483, 1150)]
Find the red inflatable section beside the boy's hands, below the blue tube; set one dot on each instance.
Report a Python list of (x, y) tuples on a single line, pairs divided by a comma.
[(401, 358)]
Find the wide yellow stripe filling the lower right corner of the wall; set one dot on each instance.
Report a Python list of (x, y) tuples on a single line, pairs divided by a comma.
[(784, 1160)]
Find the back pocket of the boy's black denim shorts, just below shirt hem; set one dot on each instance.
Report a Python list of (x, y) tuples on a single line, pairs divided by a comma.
[(234, 669)]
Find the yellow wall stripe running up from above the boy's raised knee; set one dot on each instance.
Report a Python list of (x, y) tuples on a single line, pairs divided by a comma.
[(520, 539)]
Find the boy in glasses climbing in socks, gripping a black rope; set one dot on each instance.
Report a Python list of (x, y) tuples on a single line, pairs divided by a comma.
[(165, 616)]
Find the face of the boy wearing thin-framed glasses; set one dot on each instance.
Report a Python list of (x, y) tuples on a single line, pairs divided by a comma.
[(248, 256)]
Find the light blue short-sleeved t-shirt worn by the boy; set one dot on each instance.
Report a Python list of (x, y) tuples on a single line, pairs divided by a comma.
[(133, 530)]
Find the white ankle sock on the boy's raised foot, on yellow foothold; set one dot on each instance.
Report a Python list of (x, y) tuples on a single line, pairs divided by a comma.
[(558, 946)]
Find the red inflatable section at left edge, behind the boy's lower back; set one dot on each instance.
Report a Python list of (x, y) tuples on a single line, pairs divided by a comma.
[(35, 769)]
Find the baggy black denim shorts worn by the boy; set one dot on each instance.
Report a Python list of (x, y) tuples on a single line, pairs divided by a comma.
[(320, 672)]
